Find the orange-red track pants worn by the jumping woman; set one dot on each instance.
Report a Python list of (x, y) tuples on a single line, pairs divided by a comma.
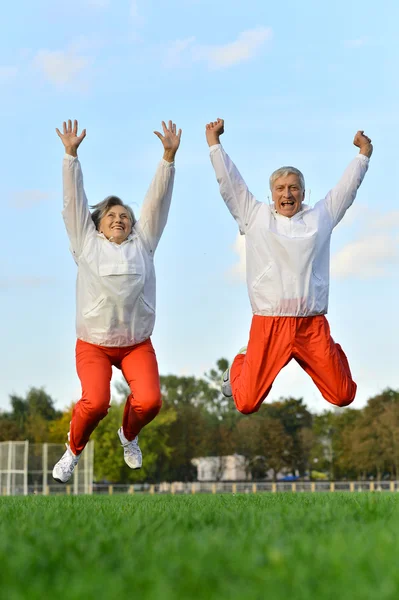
[(94, 367)]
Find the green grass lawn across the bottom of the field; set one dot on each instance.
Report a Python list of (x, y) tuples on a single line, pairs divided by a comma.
[(262, 546)]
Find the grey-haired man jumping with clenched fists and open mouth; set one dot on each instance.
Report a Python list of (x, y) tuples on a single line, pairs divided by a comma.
[(288, 258)]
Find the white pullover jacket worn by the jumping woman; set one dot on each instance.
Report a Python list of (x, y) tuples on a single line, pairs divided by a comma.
[(115, 293)]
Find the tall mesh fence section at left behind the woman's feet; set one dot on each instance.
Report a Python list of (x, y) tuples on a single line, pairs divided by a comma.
[(27, 469)]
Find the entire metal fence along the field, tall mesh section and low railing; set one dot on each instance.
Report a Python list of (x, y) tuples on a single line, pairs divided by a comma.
[(27, 469)]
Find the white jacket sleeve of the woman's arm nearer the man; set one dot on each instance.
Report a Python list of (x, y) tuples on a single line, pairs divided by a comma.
[(155, 209)]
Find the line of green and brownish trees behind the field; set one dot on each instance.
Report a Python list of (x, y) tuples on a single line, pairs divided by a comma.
[(197, 421)]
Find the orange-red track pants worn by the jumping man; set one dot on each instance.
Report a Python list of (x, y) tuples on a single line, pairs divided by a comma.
[(273, 342)]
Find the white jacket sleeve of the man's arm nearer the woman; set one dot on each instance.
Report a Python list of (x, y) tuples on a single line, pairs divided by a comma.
[(239, 200)]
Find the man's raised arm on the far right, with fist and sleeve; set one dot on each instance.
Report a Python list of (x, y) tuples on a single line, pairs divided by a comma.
[(341, 197)]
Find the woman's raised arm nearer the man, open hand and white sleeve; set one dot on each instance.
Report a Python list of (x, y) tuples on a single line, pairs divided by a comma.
[(155, 209)]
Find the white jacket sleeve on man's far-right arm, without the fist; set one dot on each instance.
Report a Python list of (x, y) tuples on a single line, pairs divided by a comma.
[(341, 197)]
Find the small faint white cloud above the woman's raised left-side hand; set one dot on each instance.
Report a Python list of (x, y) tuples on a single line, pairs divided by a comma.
[(63, 68)]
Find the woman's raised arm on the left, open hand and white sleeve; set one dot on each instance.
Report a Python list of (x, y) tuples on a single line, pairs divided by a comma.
[(76, 214)]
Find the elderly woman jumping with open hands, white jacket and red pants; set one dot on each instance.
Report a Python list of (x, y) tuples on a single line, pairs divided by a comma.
[(114, 253)]
